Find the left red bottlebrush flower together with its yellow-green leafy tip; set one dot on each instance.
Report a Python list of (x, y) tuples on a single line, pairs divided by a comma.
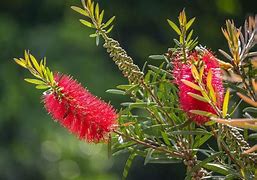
[(70, 104)]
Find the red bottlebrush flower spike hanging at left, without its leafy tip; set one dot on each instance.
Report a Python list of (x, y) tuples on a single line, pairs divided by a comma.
[(79, 111)]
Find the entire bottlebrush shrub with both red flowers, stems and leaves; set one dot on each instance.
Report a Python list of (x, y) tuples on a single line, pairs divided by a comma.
[(177, 110)]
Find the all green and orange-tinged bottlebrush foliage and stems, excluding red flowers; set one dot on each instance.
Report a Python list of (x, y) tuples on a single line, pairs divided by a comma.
[(152, 125)]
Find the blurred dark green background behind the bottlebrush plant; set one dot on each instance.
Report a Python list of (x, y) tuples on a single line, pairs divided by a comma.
[(32, 146)]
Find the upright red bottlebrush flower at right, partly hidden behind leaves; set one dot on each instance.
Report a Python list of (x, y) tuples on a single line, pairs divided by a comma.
[(183, 71)]
